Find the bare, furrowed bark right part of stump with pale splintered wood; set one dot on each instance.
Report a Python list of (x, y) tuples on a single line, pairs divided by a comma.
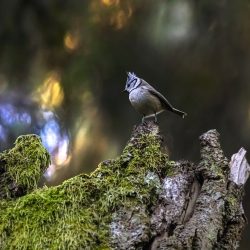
[(203, 209)]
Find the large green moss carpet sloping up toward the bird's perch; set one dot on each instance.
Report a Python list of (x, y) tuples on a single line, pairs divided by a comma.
[(77, 214)]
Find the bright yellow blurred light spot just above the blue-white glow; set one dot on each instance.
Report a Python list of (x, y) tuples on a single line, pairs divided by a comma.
[(50, 94)]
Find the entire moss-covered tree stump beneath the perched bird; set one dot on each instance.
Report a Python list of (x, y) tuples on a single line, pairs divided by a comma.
[(141, 200)]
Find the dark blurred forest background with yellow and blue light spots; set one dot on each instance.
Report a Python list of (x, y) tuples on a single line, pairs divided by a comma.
[(63, 67)]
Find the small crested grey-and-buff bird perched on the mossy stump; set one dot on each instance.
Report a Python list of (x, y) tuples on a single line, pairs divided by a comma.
[(146, 100)]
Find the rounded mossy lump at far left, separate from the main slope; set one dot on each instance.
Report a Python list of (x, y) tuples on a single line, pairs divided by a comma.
[(23, 165)]
